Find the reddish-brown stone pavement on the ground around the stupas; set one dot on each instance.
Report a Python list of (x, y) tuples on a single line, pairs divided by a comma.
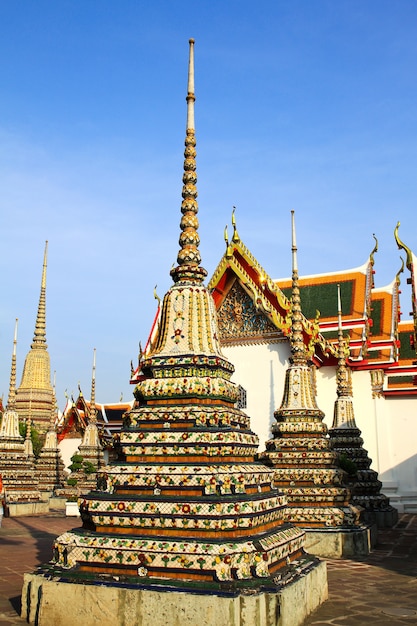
[(380, 589)]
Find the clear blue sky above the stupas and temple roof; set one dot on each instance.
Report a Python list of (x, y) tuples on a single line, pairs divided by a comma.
[(307, 105)]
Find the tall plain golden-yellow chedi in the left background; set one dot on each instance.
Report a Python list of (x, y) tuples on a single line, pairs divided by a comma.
[(35, 393)]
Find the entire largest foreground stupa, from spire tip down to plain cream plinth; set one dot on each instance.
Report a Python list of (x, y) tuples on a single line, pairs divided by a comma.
[(187, 513)]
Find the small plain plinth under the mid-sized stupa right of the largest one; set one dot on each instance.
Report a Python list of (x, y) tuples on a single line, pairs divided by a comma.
[(339, 542)]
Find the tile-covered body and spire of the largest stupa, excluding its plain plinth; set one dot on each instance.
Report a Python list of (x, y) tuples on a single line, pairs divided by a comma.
[(186, 501)]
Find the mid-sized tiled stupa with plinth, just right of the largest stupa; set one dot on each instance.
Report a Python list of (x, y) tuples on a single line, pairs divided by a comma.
[(305, 468)]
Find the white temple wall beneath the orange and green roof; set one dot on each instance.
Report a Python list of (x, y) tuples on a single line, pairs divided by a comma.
[(388, 425)]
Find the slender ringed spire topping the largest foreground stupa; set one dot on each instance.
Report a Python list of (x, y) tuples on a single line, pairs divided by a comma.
[(189, 258)]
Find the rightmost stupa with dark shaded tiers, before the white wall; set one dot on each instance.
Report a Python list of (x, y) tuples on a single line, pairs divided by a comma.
[(346, 440)]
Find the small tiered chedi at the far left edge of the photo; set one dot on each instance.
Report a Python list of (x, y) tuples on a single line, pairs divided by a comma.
[(16, 467)]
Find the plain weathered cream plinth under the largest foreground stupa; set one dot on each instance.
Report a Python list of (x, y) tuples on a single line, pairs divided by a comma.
[(48, 598)]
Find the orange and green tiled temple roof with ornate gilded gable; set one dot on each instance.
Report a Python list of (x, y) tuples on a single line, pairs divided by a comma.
[(370, 318)]
